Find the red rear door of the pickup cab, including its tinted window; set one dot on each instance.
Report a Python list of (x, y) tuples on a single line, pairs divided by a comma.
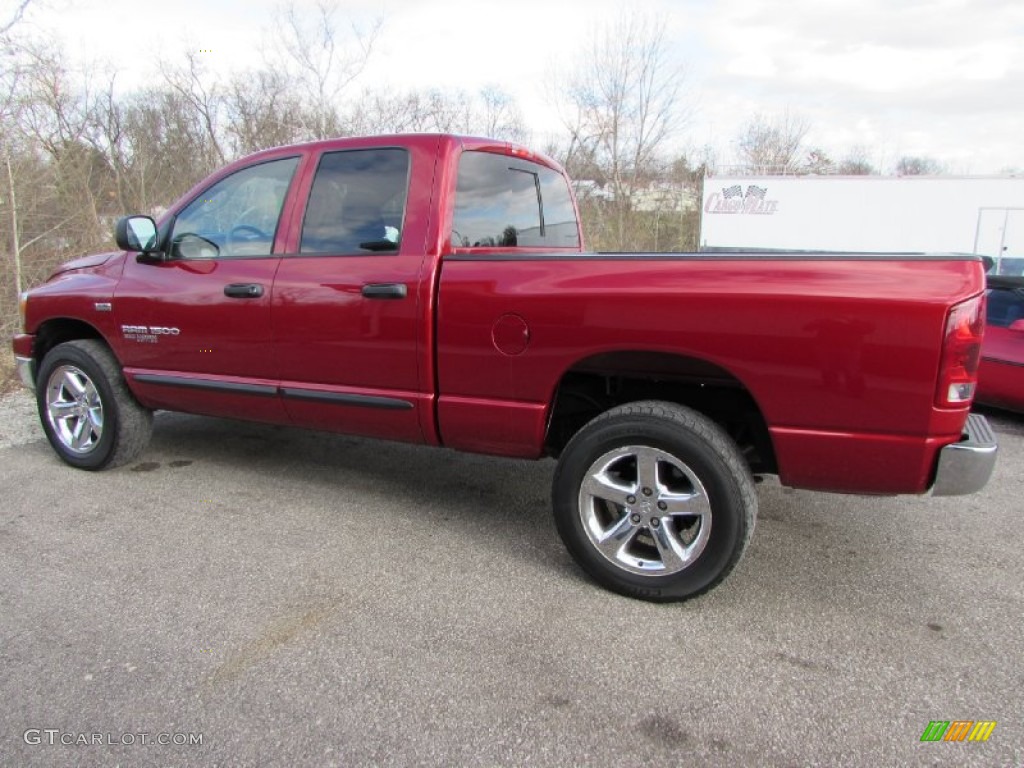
[(351, 305)]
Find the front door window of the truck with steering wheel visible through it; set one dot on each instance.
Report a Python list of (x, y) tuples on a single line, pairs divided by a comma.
[(238, 217)]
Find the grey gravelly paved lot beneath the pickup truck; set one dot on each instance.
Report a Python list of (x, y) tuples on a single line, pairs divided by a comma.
[(308, 600)]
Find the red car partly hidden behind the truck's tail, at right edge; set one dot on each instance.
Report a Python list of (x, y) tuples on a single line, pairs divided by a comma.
[(1001, 378)]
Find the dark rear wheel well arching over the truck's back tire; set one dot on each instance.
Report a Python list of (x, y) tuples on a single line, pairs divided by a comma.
[(601, 383)]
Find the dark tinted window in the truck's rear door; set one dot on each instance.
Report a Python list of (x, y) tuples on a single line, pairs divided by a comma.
[(358, 203)]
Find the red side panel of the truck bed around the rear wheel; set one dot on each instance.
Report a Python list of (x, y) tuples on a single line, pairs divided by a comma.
[(825, 348)]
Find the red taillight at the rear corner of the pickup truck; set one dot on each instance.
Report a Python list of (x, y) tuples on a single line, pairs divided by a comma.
[(961, 354)]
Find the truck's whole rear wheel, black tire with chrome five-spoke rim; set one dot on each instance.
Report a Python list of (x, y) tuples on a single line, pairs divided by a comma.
[(637, 548)]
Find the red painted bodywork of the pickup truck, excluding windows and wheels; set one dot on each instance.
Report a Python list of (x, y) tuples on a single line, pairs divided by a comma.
[(842, 357)]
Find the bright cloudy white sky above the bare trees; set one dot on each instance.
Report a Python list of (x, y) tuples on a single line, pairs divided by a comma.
[(885, 78)]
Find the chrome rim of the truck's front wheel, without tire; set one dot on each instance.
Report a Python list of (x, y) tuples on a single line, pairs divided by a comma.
[(74, 409)]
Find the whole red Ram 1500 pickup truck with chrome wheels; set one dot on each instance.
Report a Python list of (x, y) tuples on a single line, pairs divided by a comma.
[(435, 289)]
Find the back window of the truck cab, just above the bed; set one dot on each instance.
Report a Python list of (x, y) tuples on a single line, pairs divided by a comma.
[(505, 202)]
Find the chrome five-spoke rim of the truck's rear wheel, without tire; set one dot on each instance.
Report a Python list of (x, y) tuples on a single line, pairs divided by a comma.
[(646, 510)]
